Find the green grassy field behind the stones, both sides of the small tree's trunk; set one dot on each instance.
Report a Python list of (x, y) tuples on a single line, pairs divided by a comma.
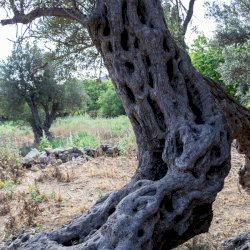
[(73, 131)]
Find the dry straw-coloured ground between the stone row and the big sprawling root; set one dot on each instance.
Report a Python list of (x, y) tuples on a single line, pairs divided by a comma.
[(69, 190)]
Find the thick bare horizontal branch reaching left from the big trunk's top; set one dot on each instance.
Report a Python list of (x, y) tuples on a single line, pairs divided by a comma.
[(47, 12)]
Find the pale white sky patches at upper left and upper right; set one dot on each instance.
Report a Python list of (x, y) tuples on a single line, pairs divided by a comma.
[(9, 33)]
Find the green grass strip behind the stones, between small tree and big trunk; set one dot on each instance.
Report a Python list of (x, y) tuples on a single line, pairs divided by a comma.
[(83, 131)]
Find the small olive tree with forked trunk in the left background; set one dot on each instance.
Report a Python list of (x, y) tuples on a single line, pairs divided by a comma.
[(31, 90)]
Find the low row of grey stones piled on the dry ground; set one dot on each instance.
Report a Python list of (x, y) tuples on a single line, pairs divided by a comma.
[(61, 155)]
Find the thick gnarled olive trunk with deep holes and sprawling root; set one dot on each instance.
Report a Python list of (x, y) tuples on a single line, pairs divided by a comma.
[(183, 123)]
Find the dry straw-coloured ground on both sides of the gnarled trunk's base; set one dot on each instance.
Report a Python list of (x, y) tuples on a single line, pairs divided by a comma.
[(45, 199)]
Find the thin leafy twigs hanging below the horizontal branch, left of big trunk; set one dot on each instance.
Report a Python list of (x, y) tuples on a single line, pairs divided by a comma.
[(72, 46)]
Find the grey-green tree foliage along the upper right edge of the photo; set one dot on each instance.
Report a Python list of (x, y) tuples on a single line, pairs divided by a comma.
[(232, 35)]
